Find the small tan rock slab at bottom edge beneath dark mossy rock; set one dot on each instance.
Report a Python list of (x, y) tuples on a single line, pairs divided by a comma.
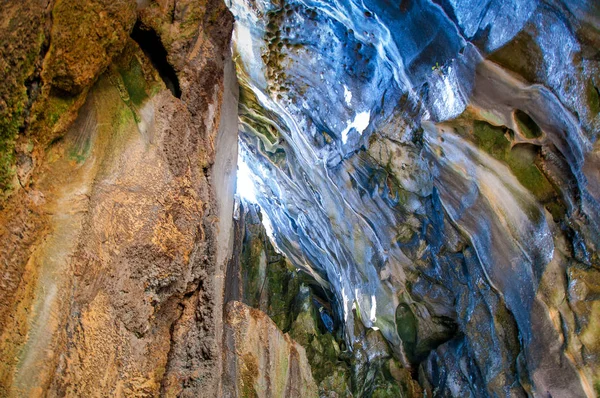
[(261, 361)]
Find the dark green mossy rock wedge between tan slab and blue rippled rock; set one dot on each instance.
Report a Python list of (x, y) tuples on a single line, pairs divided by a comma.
[(263, 278)]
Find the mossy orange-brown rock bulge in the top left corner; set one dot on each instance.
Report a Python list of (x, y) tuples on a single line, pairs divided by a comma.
[(39, 99)]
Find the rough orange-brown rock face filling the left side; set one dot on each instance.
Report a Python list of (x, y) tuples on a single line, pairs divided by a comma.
[(112, 240)]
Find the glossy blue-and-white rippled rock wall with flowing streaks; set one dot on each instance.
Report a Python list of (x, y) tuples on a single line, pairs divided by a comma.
[(434, 166)]
